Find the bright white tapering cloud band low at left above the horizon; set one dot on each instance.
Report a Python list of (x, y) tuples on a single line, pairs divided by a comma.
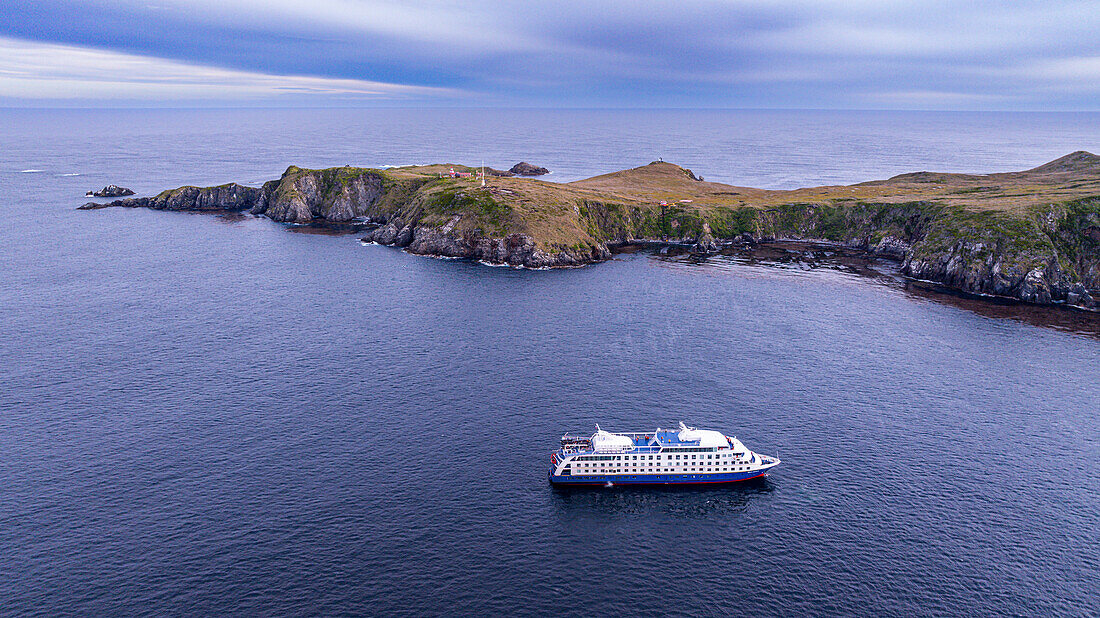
[(46, 71)]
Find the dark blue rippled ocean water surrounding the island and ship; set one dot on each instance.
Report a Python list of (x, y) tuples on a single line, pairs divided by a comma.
[(207, 415)]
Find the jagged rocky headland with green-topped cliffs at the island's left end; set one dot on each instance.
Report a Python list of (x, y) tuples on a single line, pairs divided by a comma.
[(428, 215)]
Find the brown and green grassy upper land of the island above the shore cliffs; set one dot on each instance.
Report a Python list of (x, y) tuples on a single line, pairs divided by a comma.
[(624, 206)]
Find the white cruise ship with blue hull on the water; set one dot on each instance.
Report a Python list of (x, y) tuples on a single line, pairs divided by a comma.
[(666, 457)]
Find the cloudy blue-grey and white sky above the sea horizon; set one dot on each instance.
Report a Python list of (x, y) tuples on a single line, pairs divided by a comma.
[(802, 54)]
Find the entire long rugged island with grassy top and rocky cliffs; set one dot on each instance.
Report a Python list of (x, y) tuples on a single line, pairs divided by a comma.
[(1031, 236)]
